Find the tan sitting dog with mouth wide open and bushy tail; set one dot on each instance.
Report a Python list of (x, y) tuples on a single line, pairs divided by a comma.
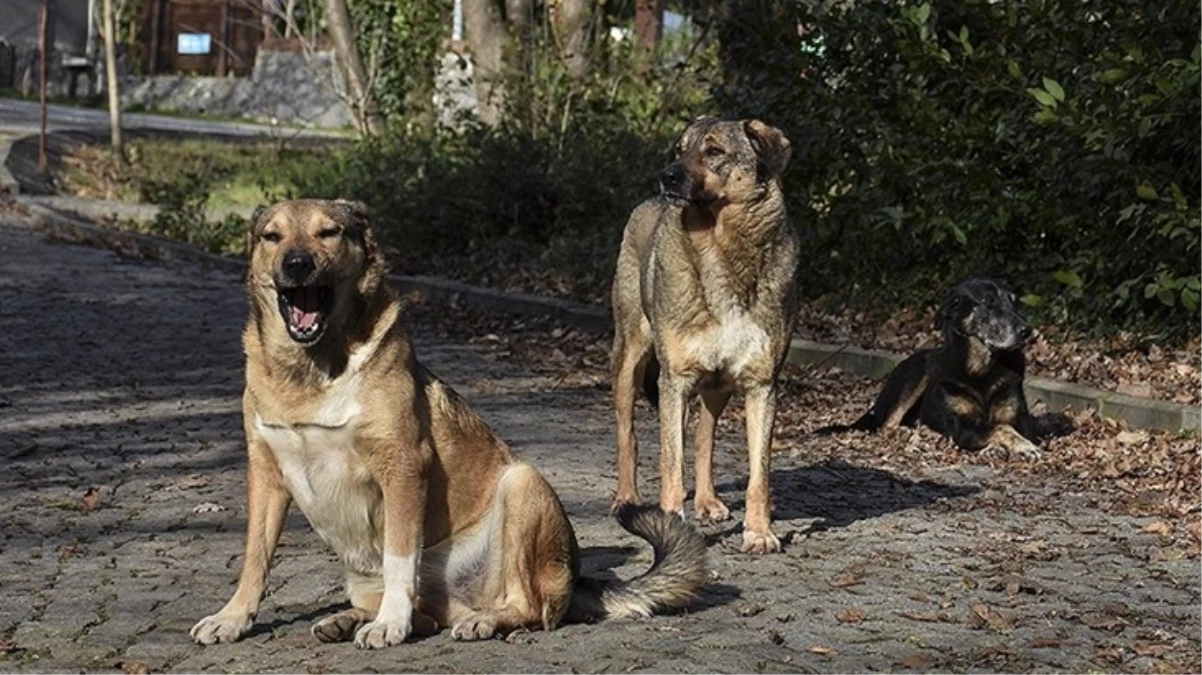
[(436, 521)]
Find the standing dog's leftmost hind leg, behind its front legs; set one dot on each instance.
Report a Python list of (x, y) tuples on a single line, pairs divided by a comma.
[(632, 355)]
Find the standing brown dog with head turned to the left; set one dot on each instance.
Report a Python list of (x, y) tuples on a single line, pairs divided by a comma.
[(705, 298)]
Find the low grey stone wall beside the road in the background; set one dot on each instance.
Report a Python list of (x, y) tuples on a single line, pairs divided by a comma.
[(287, 87)]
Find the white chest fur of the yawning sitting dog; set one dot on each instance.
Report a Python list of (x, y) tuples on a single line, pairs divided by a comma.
[(328, 479)]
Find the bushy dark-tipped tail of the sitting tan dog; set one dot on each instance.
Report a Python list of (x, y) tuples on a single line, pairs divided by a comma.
[(680, 571)]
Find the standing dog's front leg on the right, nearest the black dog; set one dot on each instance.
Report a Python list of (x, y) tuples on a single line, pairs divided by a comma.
[(761, 410)]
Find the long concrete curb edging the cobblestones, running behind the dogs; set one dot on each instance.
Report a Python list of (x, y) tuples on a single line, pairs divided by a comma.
[(1139, 413)]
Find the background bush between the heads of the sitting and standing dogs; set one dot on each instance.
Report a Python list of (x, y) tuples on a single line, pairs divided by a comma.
[(556, 180)]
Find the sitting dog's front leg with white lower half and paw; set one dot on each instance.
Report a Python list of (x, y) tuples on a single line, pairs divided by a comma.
[(403, 485)]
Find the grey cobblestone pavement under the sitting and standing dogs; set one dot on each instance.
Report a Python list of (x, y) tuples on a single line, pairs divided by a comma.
[(122, 515)]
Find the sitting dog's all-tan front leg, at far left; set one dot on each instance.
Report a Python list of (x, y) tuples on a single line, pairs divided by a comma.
[(267, 504)]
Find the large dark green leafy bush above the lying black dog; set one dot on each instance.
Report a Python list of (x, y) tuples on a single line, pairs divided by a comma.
[(1054, 144)]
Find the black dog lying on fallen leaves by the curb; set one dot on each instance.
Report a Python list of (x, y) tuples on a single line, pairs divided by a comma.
[(972, 387)]
